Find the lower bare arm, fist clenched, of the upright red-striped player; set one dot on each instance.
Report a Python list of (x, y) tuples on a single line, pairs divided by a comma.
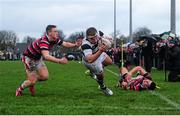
[(45, 54)]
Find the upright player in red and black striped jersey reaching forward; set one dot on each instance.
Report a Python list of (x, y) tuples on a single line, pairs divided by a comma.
[(33, 57)]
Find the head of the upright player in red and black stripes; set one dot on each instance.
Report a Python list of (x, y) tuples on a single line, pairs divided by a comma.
[(52, 32)]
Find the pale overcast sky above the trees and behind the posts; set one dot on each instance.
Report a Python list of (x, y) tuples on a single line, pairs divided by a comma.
[(30, 17)]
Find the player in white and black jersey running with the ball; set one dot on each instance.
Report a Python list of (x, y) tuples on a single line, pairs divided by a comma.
[(95, 58)]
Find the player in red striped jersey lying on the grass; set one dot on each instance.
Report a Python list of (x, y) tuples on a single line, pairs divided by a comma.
[(143, 81)]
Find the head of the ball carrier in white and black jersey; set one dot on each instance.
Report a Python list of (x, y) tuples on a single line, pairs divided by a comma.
[(92, 35)]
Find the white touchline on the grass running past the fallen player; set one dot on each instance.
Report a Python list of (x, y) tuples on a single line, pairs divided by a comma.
[(170, 102)]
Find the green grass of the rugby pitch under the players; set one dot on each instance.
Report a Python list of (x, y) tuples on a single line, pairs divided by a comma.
[(68, 91)]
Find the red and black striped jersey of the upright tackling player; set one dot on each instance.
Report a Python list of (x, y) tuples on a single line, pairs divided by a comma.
[(33, 50)]
